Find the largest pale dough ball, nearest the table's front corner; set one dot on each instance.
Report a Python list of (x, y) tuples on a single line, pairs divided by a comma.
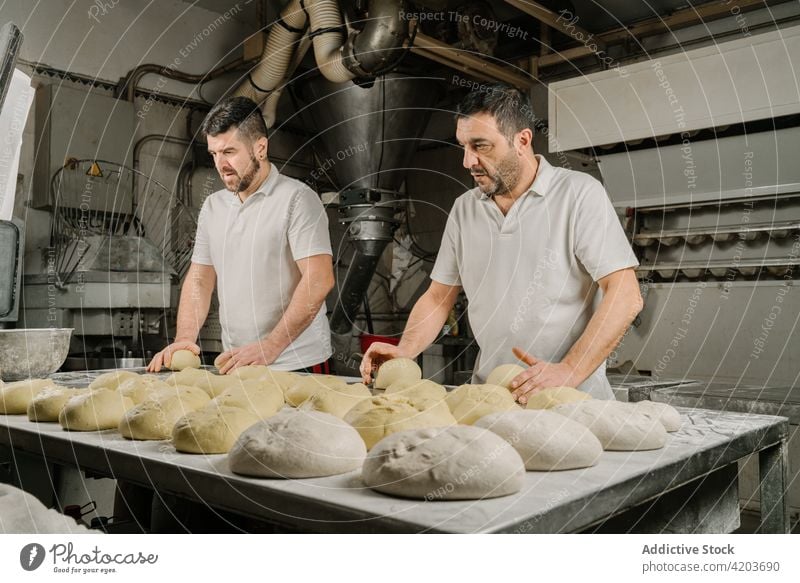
[(451, 463)]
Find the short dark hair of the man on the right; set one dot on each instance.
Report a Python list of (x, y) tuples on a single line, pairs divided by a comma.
[(510, 107)]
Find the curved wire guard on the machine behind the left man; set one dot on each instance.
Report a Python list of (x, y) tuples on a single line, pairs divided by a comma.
[(109, 216)]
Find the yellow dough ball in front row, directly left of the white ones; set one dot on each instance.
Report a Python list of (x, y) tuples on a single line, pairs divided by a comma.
[(211, 430)]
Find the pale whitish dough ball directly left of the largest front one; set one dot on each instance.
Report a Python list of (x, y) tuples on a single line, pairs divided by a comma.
[(297, 444)]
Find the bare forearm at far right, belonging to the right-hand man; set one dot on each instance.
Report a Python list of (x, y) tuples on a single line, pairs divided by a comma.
[(605, 330)]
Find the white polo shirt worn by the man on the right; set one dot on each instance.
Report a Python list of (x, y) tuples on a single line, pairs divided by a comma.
[(529, 276)]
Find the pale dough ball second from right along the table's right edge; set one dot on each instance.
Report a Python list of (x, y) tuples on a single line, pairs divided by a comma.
[(618, 426)]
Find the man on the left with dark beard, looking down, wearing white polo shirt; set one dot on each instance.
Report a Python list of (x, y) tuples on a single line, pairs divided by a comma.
[(264, 242)]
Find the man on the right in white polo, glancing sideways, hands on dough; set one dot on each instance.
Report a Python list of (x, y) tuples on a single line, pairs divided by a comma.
[(530, 246)]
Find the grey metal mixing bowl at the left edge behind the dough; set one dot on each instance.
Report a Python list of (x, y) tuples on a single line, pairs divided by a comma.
[(31, 353)]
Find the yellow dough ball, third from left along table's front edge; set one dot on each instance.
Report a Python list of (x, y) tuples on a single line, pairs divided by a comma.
[(96, 410)]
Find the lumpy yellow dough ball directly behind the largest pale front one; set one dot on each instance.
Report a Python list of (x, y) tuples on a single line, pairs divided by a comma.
[(397, 414)]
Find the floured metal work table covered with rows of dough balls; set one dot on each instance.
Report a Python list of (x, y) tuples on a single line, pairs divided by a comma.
[(709, 443)]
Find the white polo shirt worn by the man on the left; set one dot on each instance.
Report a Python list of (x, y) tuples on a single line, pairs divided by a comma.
[(253, 247)]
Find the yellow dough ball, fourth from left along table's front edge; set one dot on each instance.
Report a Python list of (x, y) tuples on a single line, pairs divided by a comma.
[(155, 419)]
